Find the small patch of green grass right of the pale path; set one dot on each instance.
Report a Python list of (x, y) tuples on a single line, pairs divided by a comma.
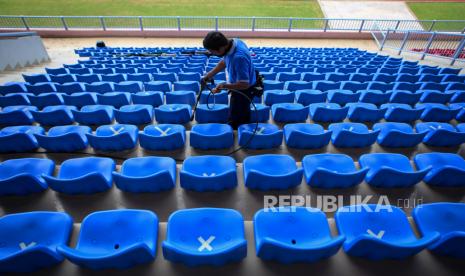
[(440, 11)]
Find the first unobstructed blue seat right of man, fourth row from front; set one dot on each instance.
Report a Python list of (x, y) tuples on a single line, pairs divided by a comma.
[(289, 112)]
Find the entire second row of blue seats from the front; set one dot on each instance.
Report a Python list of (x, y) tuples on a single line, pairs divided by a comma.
[(90, 175)]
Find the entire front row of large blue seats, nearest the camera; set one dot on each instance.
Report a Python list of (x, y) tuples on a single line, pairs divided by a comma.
[(212, 236)]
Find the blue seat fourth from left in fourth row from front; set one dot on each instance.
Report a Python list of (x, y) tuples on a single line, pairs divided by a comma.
[(136, 114)]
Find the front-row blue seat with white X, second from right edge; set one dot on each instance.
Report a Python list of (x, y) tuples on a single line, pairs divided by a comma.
[(379, 232)]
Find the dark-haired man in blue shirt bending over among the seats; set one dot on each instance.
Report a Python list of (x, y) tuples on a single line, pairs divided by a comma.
[(241, 74)]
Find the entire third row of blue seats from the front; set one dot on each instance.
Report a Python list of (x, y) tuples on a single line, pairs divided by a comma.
[(211, 136)]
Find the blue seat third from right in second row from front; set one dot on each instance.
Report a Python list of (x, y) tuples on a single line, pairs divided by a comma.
[(329, 170)]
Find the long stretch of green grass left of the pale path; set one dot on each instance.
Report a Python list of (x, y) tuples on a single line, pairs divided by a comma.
[(274, 8)]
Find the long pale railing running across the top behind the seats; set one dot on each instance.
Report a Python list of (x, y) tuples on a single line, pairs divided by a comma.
[(179, 23)]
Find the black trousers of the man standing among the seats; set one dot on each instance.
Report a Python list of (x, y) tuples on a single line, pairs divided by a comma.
[(239, 107)]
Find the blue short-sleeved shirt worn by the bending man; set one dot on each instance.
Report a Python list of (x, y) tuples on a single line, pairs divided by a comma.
[(239, 63)]
